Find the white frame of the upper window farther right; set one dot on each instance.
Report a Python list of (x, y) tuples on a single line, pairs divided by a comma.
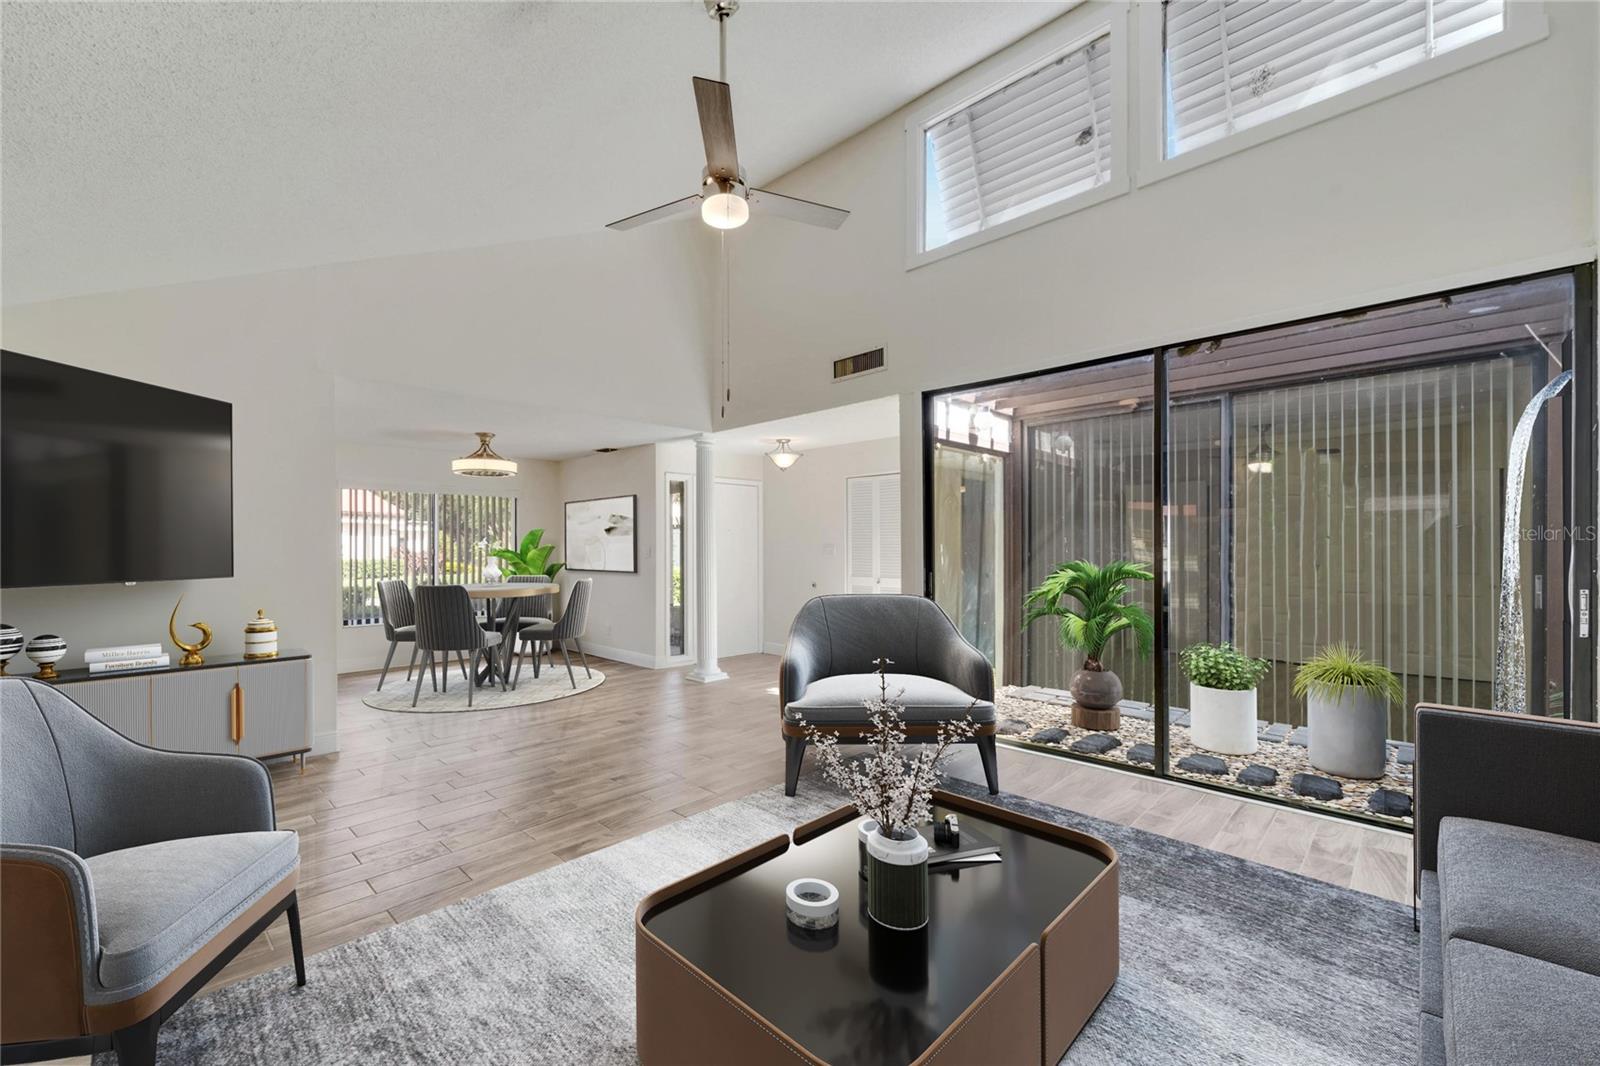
[(1526, 25)]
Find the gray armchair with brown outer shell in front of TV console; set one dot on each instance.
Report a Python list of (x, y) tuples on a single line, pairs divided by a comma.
[(129, 878)]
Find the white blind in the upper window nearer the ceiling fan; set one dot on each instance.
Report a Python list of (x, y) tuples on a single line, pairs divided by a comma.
[(1036, 142)]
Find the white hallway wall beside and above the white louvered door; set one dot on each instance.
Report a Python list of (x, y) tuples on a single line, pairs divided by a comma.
[(806, 521)]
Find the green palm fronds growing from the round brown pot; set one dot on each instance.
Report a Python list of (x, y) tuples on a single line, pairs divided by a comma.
[(1092, 606)]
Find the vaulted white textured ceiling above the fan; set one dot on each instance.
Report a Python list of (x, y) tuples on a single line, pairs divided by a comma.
[(159, 143)]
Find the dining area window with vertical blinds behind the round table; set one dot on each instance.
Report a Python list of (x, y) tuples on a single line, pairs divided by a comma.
[(420, 539)]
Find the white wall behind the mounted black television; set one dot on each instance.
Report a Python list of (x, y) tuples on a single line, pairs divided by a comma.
[(254, 345)]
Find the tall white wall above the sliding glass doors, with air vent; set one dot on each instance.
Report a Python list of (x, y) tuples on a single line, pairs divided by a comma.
[(1479, 175)]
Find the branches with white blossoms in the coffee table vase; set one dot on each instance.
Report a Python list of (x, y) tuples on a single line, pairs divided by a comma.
[(889, 787)]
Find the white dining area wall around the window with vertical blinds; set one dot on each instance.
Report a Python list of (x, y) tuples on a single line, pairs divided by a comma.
[(537, 489)]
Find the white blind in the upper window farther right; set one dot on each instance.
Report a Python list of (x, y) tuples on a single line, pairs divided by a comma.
[(1233, 65)]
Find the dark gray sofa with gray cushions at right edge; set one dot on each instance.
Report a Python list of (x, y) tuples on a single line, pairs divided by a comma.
[(1508, 875)]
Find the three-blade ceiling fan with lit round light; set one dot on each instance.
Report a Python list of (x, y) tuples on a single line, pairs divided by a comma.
[(726, 201)]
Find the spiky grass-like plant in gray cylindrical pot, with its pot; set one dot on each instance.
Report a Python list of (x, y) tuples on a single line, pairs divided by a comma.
[(1348, 700)]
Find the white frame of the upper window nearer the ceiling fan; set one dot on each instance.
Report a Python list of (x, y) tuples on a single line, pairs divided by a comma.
[(1068, 34)]
